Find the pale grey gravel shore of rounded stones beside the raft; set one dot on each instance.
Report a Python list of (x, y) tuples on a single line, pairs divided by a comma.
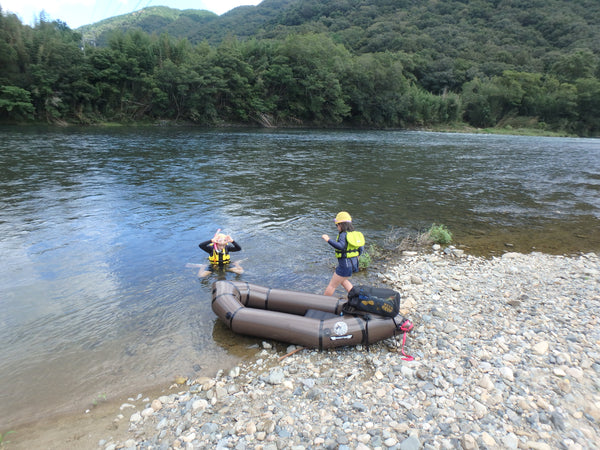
[(506, 355)]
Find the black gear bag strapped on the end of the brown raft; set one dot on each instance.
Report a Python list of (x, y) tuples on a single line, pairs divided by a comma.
[(381, 301)]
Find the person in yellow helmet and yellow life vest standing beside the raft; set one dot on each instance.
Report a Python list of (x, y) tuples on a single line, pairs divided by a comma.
[(347, 259)]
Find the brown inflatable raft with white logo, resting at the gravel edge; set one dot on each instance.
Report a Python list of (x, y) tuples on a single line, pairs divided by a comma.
[(309, 320)]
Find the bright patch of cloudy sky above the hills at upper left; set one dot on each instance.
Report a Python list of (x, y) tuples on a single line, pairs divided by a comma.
[(76, 13)]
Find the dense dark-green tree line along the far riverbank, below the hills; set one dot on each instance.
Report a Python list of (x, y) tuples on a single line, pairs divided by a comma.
[(47, 73)]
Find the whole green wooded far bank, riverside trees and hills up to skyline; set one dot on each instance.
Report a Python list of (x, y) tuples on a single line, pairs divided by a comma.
[(400, 64)]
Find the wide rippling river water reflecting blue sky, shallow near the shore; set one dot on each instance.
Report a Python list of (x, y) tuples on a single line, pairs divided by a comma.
[(97, 227)]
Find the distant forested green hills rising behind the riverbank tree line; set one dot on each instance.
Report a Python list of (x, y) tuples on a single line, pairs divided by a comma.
[(508, 31)]
